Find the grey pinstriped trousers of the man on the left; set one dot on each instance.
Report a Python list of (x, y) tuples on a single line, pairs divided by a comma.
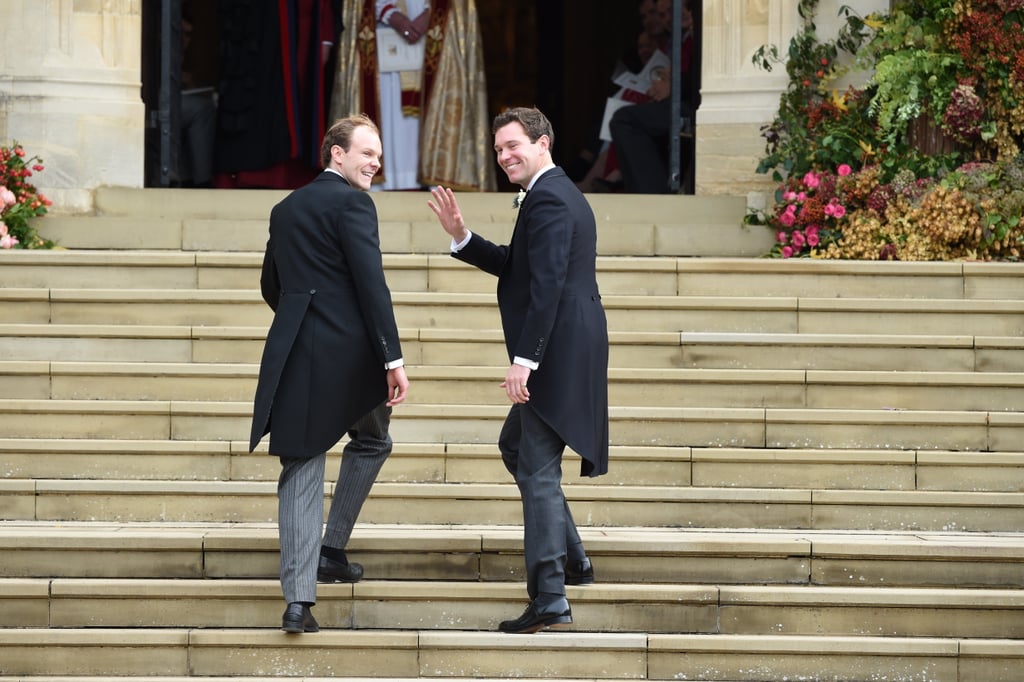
[(301, 502)]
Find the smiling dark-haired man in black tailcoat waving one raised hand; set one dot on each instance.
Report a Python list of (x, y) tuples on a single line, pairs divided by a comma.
[(558, 340)]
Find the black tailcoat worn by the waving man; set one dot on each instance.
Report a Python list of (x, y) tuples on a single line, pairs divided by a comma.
[(551, 312)]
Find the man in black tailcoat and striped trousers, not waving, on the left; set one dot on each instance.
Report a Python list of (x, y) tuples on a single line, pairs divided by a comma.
[(332, 364)]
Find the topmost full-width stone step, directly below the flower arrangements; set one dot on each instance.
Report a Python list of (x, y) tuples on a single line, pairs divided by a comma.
[(659, 276)]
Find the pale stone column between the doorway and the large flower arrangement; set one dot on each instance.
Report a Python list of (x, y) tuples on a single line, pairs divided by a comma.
[(738, 98)]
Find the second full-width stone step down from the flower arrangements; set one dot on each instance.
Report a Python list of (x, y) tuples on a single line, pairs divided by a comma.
[(432, 310)]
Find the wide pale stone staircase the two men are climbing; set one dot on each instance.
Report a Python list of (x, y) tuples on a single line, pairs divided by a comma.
[(816, 466)]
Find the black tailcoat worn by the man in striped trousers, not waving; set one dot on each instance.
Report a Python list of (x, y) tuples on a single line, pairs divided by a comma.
[(334, 327)]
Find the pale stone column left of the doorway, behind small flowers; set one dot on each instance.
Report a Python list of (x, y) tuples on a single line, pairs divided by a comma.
[(71, 94)]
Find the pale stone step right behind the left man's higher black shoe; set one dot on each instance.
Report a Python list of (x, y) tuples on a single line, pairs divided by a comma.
[(487, 555)]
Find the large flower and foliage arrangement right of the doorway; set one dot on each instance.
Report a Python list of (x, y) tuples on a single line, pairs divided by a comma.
[(861, 175)]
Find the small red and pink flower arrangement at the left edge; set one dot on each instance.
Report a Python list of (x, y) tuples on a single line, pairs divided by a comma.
[(20, 201)]
